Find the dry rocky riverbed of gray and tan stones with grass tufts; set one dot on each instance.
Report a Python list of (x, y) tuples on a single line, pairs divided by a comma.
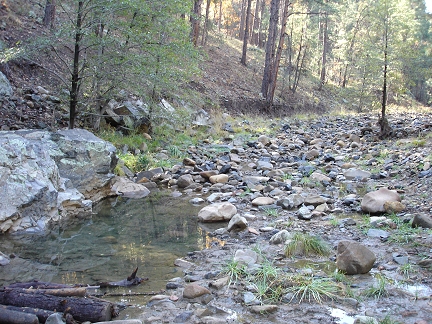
[(309, 177)]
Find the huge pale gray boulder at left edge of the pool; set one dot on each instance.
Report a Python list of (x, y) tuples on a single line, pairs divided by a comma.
[(49, 177)]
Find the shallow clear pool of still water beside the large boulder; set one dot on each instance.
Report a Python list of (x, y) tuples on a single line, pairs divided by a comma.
[(149, 233)]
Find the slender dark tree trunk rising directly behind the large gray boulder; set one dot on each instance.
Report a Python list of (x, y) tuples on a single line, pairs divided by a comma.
[(75, 85)]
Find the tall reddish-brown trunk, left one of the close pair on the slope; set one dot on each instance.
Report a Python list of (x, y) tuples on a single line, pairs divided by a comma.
[(270, 48)]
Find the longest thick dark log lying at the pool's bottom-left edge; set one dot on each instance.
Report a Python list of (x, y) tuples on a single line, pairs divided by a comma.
[(82, 309)]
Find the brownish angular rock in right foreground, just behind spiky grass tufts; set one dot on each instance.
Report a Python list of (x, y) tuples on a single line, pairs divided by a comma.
[(354, 258)]
